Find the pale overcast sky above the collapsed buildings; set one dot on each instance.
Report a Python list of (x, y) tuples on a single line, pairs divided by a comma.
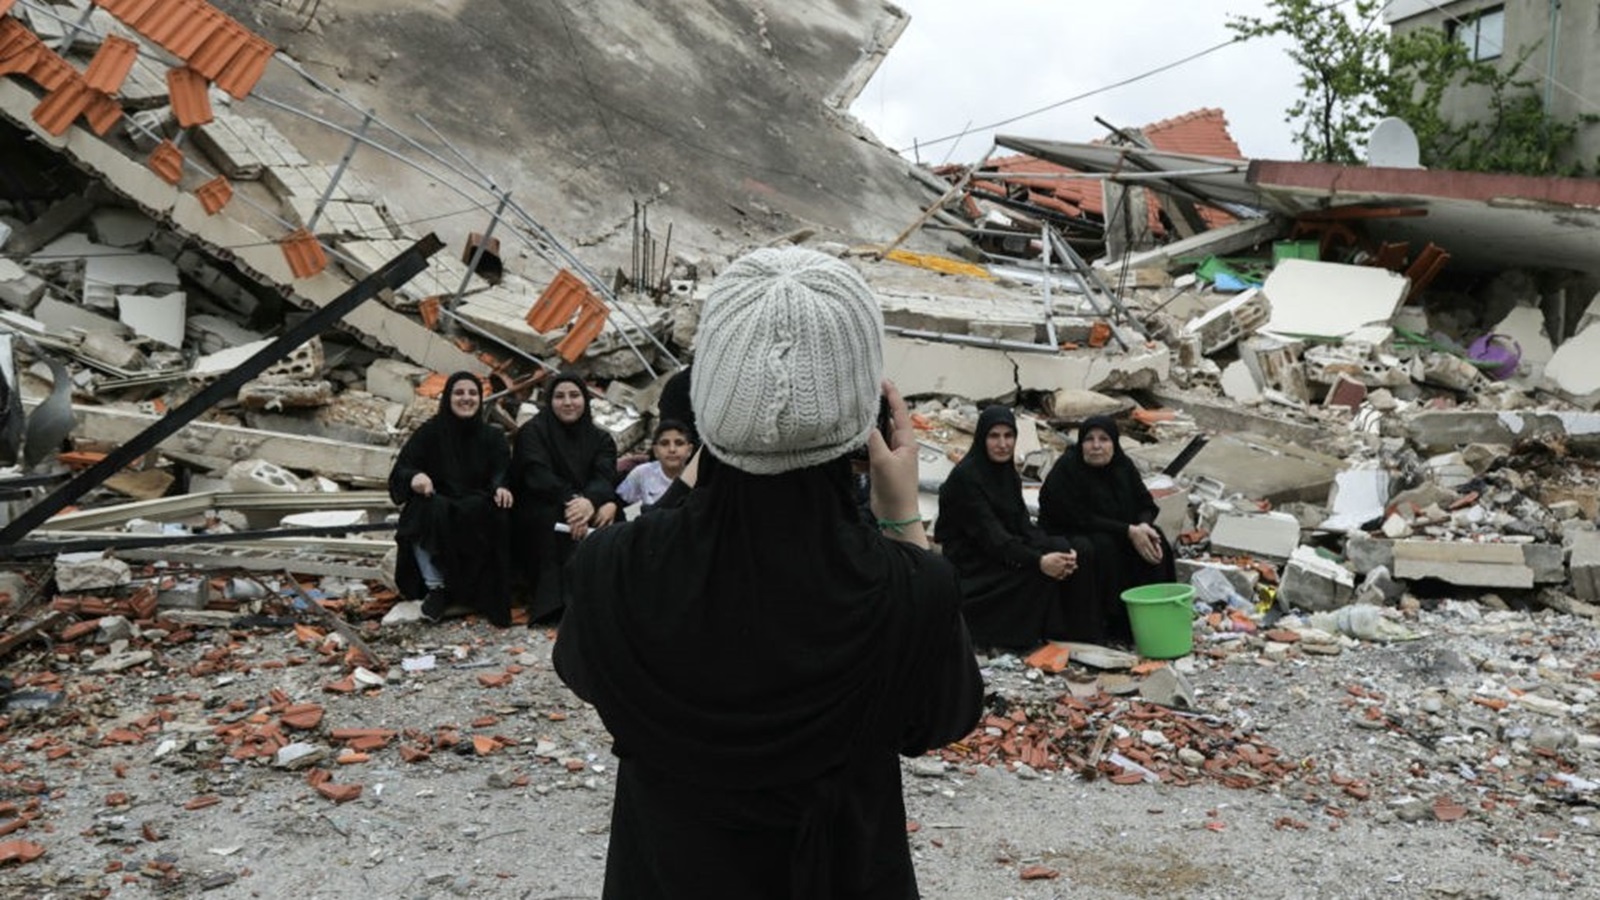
[(969, 65)]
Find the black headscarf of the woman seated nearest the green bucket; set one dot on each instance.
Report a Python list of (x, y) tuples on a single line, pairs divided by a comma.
[(1079, 497)]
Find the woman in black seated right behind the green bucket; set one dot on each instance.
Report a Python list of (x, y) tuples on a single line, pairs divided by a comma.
[(1095, 494)]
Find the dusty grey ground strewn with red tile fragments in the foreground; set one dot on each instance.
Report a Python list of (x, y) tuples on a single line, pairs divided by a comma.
[(529, 819)]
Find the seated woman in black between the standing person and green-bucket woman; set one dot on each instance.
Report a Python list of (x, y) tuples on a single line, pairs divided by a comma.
[(1020, 585)]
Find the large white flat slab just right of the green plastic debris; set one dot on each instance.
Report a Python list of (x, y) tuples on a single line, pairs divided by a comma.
[(1330, 300)]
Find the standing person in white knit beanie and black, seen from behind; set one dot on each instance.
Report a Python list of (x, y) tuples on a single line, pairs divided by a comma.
[(759, 654)]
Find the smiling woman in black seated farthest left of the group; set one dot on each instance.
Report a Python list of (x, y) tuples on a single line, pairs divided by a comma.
[(450, 486)]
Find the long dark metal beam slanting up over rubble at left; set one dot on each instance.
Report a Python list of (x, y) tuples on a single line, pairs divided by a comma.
[(391, 276)]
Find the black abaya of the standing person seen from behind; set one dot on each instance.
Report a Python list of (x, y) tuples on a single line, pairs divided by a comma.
[(759, 688)]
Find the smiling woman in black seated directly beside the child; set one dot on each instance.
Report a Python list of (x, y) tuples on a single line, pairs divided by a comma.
[(564, 473)]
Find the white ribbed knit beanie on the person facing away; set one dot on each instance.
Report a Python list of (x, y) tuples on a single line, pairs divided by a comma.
[(788, 361)]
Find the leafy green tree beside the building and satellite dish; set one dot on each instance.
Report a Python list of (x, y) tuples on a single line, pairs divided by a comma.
[(1356, 73)]
